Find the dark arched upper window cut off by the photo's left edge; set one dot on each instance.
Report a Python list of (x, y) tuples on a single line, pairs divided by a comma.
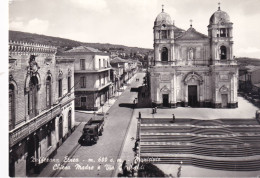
[(11, 106)]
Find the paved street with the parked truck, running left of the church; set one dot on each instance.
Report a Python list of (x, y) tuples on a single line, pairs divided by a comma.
[(99, 159)]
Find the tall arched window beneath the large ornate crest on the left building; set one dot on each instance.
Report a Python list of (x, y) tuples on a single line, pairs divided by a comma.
[(32, 96)]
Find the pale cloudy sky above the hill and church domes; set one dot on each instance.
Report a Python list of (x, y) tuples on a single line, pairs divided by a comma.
[(130, 22)]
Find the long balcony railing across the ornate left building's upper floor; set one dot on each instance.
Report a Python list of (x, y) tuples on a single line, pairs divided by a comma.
[(30, 126)]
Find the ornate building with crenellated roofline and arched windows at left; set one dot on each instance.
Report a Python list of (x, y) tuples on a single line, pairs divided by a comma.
[(41, 105)]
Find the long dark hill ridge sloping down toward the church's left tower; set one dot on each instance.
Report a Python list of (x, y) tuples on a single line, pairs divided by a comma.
[(65, 44)]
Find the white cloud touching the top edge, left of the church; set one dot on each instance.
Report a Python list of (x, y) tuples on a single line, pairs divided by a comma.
[(90, 5)]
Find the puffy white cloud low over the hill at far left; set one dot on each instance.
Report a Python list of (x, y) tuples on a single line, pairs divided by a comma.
[(35, 26)]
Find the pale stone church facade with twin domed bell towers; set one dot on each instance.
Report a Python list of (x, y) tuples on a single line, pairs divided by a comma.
[(193, 69)]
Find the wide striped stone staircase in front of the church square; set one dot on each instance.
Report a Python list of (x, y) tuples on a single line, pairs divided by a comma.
[(222, 144)]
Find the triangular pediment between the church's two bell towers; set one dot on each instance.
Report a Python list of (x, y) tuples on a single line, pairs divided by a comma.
[(191, 34)]
